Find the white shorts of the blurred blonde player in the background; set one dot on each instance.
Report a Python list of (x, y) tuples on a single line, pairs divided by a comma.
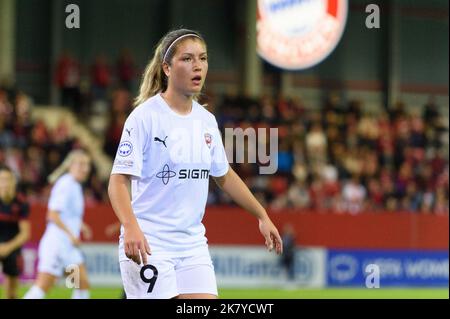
[(55, 255)]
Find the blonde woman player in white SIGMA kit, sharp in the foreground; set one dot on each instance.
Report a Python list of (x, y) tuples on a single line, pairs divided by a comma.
[(170, 146)]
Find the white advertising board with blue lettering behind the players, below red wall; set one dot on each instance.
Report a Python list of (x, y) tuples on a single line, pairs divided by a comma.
[(235, 266)]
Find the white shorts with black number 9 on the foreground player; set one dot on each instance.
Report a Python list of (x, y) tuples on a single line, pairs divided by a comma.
[(167, 277)]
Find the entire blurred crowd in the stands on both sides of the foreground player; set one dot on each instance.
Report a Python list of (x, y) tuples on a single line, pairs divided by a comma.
[(334, 157)]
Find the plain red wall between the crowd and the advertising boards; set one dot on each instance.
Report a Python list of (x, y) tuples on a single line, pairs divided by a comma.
[(231, 225)]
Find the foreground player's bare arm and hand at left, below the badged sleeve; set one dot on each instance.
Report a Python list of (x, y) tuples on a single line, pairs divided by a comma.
[(135, 243)]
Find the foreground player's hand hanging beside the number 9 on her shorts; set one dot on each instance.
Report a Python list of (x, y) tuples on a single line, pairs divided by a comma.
[(135, 244)]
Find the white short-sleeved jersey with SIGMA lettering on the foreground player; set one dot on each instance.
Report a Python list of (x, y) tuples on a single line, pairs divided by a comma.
[(170, 158)]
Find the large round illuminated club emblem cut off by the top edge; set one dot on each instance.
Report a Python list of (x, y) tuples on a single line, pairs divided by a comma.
[(298, 34)]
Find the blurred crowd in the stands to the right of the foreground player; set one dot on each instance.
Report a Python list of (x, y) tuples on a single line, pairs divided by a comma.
[(337, 157)]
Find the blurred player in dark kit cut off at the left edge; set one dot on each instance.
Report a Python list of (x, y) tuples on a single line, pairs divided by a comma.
[(14, 230)]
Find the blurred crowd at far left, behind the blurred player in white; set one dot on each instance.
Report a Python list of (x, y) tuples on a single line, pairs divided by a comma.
[(33, 150)]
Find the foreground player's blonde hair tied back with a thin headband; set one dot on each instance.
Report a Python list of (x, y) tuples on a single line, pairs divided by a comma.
[(154, 80)]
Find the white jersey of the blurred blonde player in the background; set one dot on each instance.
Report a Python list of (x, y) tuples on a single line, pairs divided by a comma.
[(67, 199)]
